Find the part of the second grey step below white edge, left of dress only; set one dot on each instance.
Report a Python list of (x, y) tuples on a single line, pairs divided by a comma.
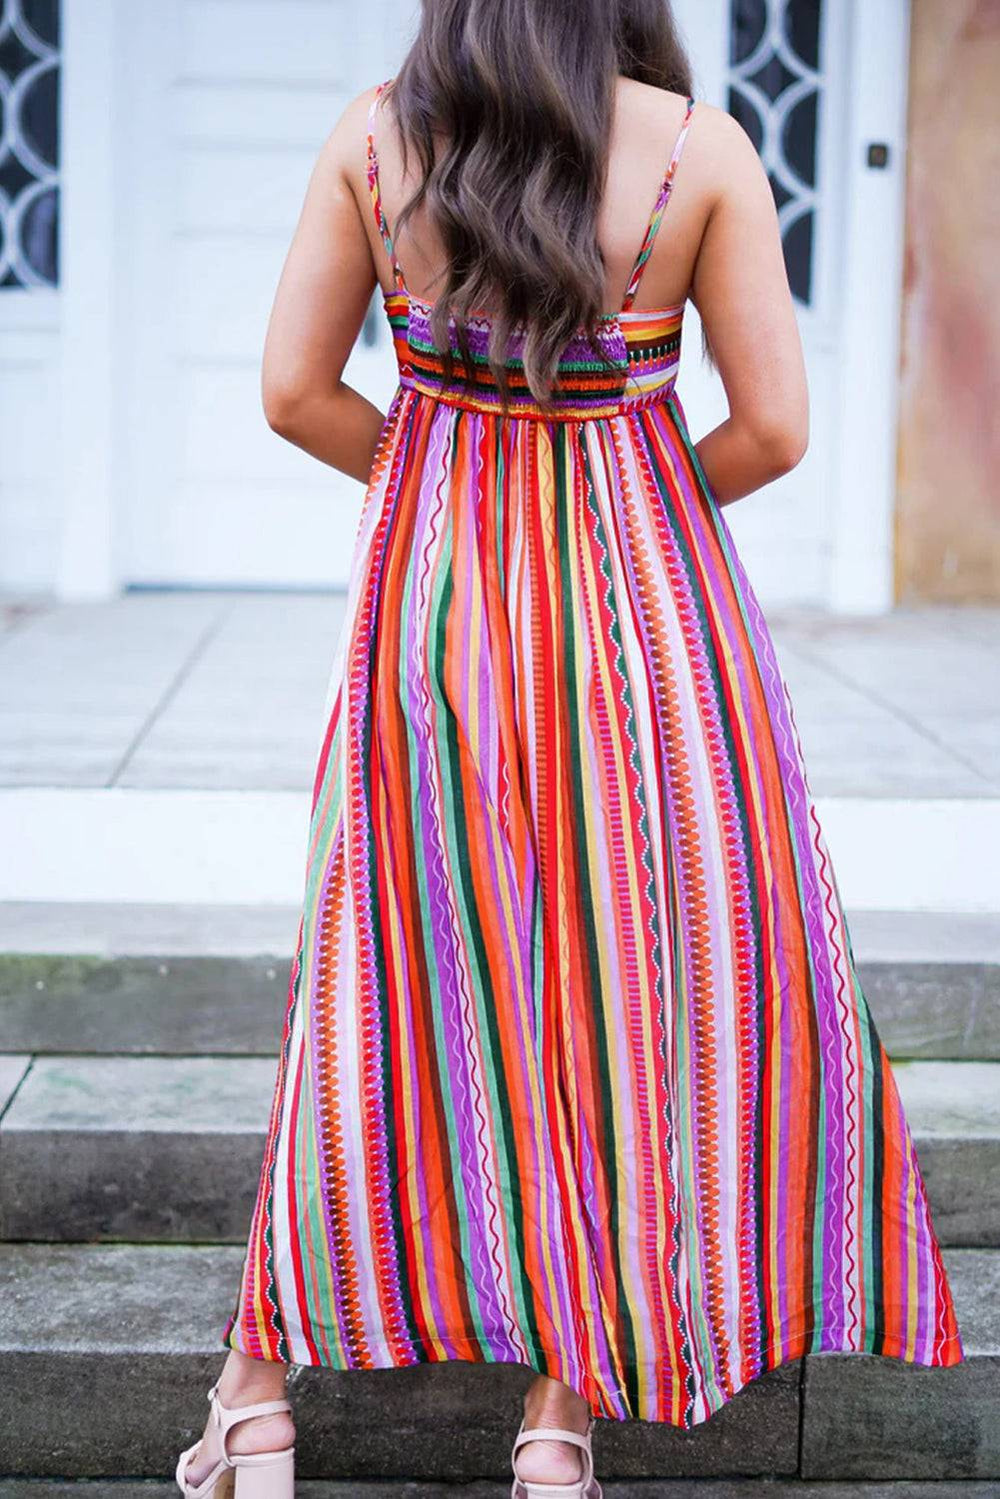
[(133, 1147)]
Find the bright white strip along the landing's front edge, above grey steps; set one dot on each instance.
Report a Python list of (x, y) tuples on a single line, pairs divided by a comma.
[(247, 848)]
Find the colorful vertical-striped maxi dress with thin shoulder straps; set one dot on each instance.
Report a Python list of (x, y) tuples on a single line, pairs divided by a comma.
[(576, 1070)]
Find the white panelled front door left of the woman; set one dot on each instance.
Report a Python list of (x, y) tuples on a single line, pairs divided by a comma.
[(226, 104)]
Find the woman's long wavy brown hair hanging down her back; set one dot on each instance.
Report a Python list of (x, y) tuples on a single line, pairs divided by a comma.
[(509, 107)]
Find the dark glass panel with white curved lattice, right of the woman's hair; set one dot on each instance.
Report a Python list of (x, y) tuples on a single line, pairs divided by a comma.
[(776, 91)]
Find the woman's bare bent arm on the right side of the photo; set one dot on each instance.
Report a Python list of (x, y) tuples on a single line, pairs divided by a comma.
[(741, 292)]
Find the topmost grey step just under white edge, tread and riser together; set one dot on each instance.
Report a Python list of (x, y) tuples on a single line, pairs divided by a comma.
[(212, 981)]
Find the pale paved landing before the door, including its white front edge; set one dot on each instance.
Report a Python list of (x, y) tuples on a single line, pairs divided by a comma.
[(161, 749)]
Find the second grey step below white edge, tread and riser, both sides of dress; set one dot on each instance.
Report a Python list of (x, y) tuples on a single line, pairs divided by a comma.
[(170, 1147)]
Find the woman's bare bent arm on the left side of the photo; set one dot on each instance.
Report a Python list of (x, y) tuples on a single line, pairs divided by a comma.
[(320, 307)]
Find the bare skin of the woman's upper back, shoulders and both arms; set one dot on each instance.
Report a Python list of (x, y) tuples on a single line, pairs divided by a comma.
[(719, 247)]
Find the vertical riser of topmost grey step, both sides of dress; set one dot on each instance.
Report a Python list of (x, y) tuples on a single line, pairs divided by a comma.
[(235, 1007)]
